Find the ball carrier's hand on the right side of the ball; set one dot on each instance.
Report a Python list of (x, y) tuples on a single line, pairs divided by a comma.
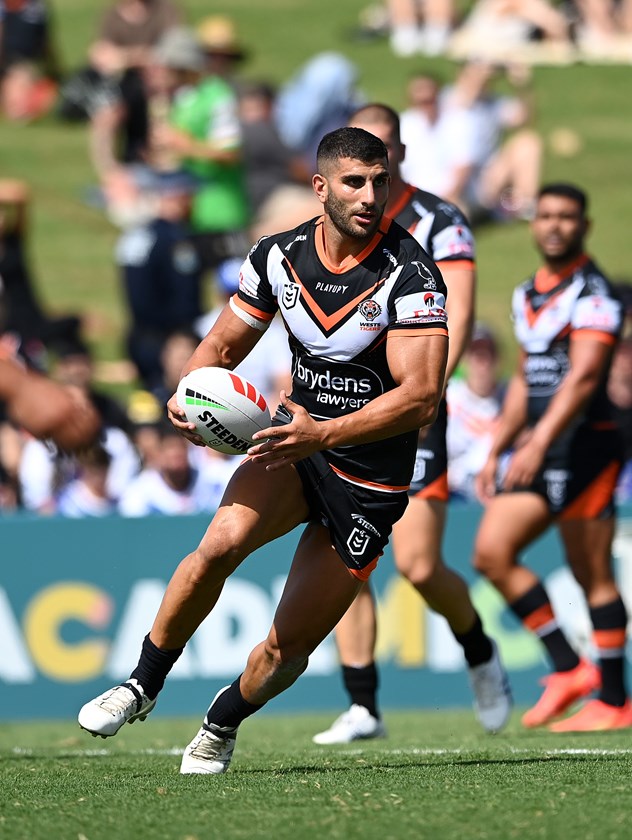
[(284, 445)]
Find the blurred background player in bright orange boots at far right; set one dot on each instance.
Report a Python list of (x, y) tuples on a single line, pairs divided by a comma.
[(564, 468)]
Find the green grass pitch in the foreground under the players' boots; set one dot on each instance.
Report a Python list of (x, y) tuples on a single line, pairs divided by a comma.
[(436, 776)]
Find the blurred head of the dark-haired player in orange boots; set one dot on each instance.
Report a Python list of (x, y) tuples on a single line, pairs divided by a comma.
[(560, 223)]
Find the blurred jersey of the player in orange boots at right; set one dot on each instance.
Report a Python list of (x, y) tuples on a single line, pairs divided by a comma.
[(550, 310)]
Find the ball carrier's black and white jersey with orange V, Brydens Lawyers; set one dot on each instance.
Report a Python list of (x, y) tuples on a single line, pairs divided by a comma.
[(337, 319)]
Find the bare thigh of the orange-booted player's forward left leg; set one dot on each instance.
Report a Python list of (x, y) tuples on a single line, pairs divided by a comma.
[(510, 522)]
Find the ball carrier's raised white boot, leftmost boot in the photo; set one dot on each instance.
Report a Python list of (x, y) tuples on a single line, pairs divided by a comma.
[(106, 714)]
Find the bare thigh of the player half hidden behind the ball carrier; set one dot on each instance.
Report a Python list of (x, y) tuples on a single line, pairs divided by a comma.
[(418, 534)]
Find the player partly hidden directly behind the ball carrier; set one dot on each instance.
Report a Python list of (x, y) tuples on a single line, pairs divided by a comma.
[(444, 233)]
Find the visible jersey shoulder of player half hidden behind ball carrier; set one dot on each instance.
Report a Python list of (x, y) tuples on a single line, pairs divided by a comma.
[(439, 226)]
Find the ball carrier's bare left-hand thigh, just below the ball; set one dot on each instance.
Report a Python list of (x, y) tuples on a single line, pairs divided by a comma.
[(257, 507)]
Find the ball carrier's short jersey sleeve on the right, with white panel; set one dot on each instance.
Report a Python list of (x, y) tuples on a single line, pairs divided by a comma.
[(418, 298)]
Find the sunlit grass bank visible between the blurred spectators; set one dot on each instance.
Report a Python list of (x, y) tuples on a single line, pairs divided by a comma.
[(72, 245)]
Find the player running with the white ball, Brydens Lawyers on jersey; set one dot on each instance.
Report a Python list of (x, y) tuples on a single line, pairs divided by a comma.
[(364, 306)]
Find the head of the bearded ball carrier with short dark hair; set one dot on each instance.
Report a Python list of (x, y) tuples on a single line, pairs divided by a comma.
[(352, 181)]
